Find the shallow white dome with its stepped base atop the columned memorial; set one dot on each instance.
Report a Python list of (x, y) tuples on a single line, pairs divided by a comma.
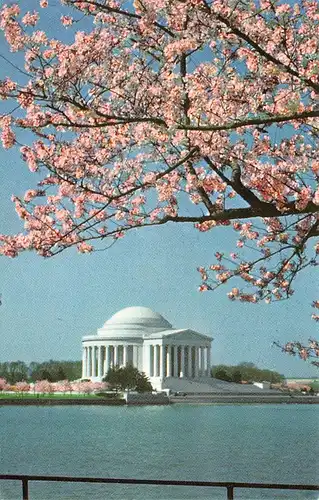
[(134, 321)]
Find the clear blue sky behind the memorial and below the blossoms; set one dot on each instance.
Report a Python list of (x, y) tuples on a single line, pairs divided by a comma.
[(49, 304)]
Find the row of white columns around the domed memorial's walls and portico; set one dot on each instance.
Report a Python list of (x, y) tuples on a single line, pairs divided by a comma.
[(159, 360)]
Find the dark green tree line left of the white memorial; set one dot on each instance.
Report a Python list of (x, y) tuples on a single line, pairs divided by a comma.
[(16, 371)]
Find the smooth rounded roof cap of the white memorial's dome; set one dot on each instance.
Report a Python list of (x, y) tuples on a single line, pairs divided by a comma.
[(137, 318)]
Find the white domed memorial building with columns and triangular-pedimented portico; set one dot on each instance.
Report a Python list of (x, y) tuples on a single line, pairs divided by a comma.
[(143, 338)]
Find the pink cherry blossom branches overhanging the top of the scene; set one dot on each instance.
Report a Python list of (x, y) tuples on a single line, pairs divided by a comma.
[(171, 112)]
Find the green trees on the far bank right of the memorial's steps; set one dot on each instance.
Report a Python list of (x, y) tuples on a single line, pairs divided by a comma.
[(246, 372)]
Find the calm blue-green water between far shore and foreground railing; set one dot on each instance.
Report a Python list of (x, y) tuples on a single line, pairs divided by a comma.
[(260, 443)]
